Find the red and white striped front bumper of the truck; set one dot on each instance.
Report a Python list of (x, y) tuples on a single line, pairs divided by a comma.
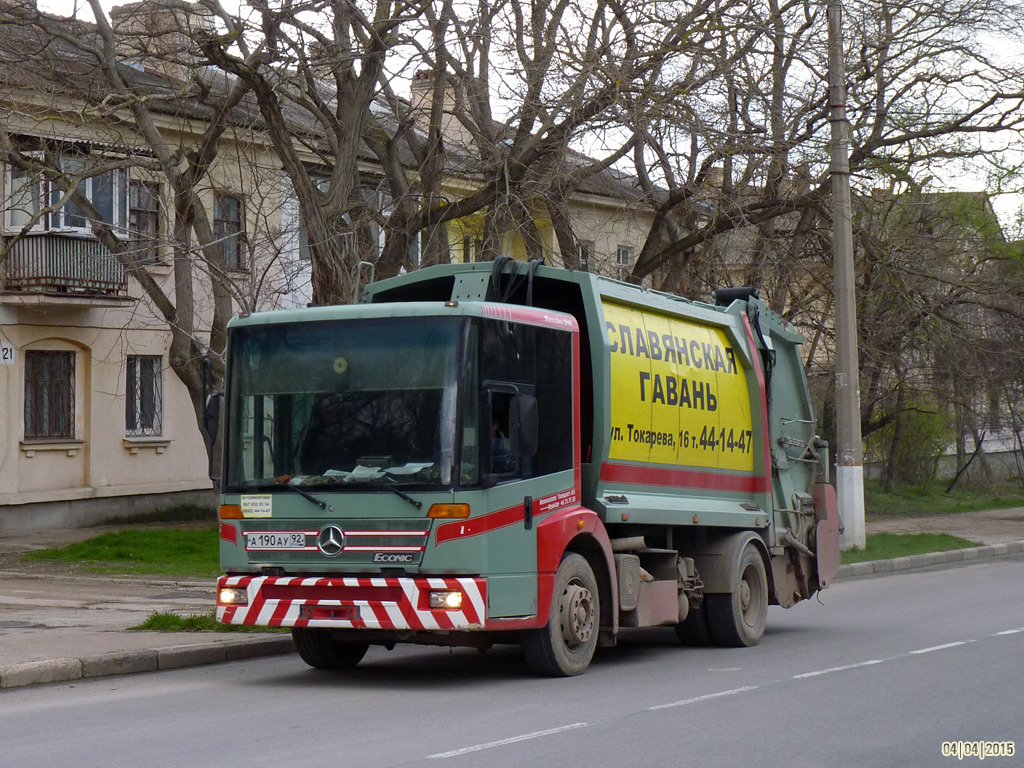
[(354, 603)]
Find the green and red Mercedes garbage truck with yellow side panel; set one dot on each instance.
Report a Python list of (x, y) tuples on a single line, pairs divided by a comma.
[(481, 454)]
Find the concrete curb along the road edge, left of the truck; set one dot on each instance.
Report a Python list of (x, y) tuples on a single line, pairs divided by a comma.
[(125, 663)]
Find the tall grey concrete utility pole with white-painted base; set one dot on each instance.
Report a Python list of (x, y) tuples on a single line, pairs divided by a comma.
[(849, 454)]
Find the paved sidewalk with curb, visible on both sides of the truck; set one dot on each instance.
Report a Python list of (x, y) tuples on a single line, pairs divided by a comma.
[(59, 625)]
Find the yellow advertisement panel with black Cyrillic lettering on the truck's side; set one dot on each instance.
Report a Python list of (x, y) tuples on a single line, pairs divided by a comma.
[(679, 393)]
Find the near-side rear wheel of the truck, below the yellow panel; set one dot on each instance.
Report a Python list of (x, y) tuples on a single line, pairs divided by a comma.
[(738, 620)]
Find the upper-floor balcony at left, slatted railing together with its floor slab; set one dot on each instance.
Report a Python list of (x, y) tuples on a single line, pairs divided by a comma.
[(62, 271)]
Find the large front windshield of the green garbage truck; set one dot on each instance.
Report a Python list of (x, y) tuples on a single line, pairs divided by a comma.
[(344, 404)]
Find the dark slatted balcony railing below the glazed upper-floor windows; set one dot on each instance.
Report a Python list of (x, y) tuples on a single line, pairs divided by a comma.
[(61, 264)]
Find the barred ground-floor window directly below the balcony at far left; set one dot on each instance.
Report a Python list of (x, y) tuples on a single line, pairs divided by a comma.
[(50, 395)]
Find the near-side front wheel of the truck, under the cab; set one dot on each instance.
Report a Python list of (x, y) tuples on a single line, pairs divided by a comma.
[(566, 646)]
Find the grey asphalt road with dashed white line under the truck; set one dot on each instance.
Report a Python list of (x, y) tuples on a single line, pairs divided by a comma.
[(882, 674)]
